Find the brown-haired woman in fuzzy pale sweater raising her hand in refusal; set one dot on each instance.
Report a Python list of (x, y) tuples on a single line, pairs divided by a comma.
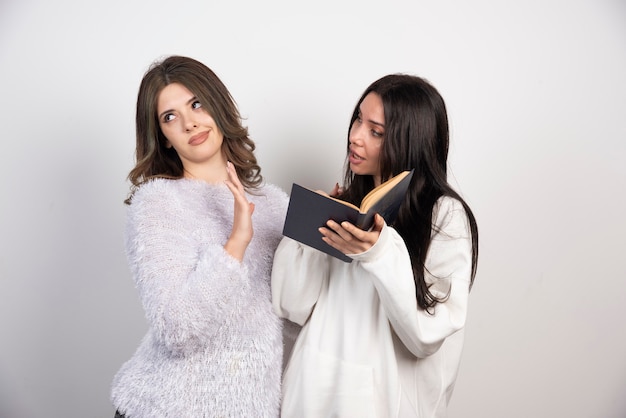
[(214, 346)]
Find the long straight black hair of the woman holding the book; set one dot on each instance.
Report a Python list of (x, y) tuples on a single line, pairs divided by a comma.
[(416, 137)]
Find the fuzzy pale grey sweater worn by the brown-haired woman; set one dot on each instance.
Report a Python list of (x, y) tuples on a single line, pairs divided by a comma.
[(214, 346)]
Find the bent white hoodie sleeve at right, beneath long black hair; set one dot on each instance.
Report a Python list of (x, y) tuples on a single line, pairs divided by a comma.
[(448, 271)]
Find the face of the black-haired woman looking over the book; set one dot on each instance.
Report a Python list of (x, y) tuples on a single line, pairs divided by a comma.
[(366, 137)]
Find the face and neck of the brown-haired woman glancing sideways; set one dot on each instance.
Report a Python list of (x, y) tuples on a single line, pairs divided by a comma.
[(189, 129)]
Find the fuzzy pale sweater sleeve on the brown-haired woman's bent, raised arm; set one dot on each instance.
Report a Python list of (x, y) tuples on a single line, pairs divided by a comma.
[(187, 289)]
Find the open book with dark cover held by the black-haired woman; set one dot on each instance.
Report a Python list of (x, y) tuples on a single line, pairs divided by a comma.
[(309, 210)]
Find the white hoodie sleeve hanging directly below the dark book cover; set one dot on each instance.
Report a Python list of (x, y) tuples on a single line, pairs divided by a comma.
[(298, 275)]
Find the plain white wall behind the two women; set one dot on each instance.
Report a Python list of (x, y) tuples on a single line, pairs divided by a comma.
[(536, 93)]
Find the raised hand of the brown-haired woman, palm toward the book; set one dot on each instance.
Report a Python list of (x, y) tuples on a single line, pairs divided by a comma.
[(242, 232)]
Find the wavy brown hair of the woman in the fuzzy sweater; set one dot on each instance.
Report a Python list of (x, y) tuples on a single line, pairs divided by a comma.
[(153, 158)]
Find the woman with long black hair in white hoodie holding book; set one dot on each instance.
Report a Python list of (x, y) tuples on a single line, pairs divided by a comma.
[(382, 335)]
